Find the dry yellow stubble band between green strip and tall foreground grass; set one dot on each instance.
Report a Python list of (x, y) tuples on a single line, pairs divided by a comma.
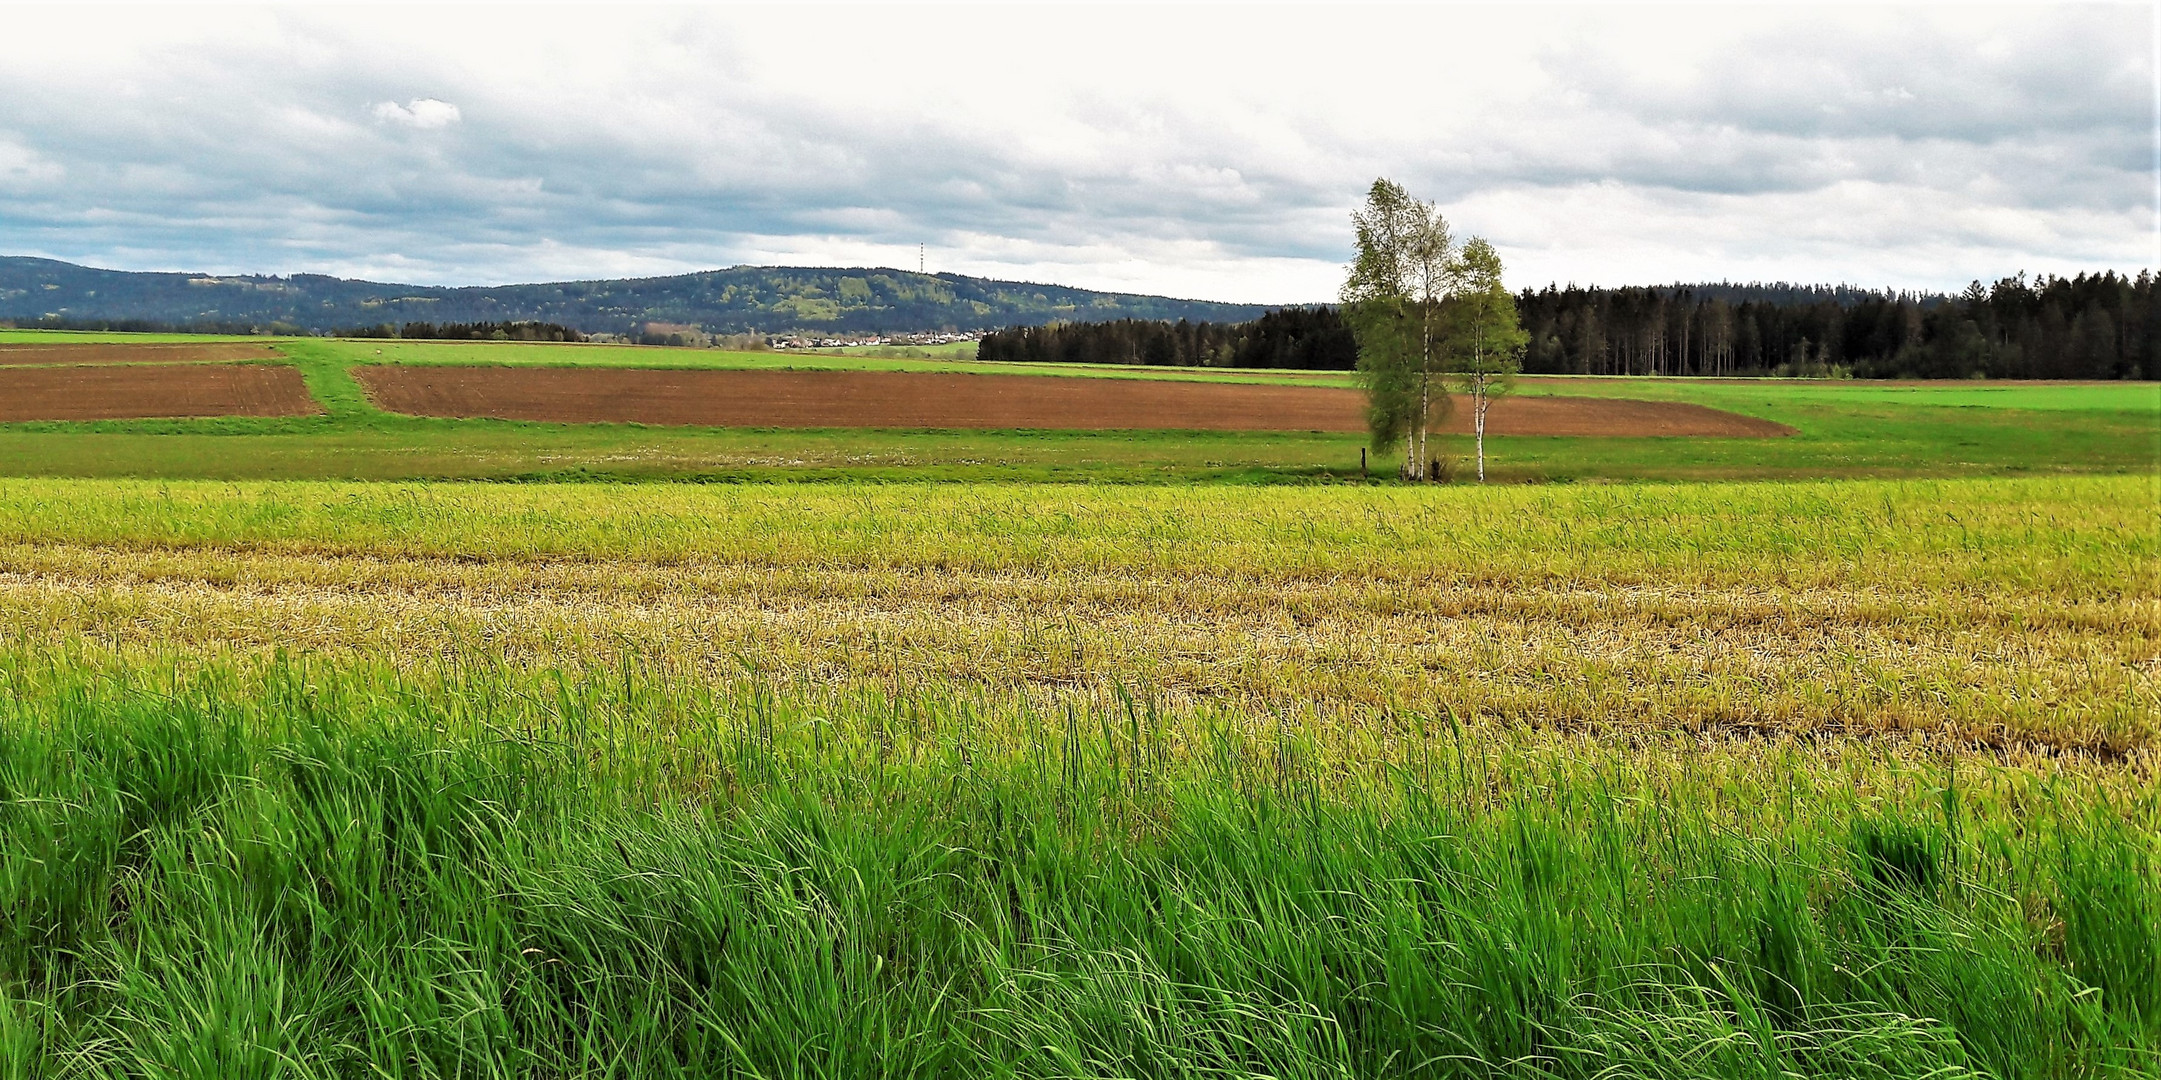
[(2024, 669)]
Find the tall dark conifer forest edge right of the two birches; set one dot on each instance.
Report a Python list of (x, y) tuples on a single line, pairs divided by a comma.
[(2084, 327)]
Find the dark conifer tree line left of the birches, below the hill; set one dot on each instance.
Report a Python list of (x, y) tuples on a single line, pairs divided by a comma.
[(1311, 338)]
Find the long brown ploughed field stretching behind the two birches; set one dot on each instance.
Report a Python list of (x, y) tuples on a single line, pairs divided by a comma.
[(958, 401)]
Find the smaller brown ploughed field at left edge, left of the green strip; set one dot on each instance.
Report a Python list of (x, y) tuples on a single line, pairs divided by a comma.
[(161, 390)]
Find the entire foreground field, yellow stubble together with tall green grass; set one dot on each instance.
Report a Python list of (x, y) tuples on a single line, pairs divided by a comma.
[(1806, 779)]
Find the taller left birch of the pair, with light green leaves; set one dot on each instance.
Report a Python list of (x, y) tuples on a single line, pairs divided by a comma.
[(1393, 301)]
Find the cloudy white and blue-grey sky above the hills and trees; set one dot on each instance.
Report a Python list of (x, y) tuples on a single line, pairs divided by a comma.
[(1203, 152)]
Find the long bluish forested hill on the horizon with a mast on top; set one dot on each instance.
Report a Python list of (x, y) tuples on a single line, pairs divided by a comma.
[(747, 299)]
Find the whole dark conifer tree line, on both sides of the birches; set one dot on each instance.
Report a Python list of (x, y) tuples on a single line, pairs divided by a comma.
[(2084, 327)]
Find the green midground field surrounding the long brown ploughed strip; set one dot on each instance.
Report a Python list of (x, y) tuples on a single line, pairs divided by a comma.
[(1847, 429)]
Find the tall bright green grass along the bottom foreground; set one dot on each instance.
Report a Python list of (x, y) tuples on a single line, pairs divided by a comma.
[(466, 869)]
